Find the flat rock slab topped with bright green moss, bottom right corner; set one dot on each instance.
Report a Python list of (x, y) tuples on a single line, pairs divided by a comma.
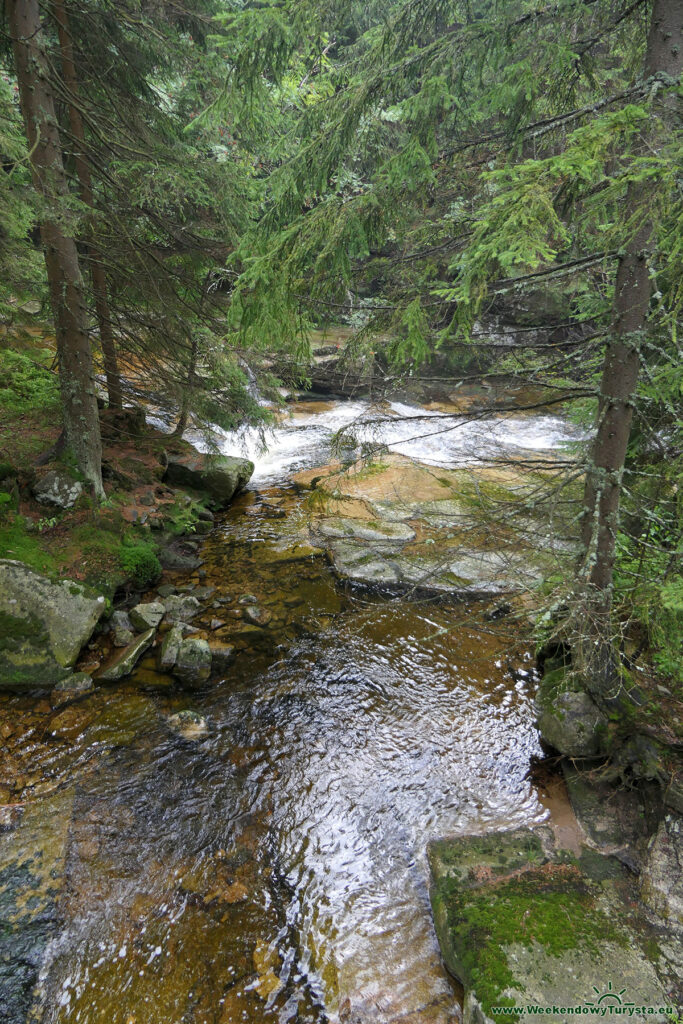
[(522, 925)]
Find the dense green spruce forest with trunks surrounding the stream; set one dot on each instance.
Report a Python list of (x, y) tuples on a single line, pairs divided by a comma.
[(481, 190)]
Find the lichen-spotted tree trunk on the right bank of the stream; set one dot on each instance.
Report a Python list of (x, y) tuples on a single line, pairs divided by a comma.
[(620, 377)]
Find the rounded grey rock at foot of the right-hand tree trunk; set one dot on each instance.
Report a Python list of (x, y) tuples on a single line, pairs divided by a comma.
[(568, 719)]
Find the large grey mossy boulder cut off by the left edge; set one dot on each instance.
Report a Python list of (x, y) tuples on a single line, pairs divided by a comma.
[(44, 627)]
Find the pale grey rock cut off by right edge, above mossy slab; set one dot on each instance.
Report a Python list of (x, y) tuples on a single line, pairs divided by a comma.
[(662, 880)]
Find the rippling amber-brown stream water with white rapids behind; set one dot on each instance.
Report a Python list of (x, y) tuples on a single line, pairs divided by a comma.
[(274, 869)]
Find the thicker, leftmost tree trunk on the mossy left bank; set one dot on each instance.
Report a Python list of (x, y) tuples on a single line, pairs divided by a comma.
[(79, 400)]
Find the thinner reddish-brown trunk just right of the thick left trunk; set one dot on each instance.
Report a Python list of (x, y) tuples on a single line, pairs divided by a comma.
[(98, 275)]
